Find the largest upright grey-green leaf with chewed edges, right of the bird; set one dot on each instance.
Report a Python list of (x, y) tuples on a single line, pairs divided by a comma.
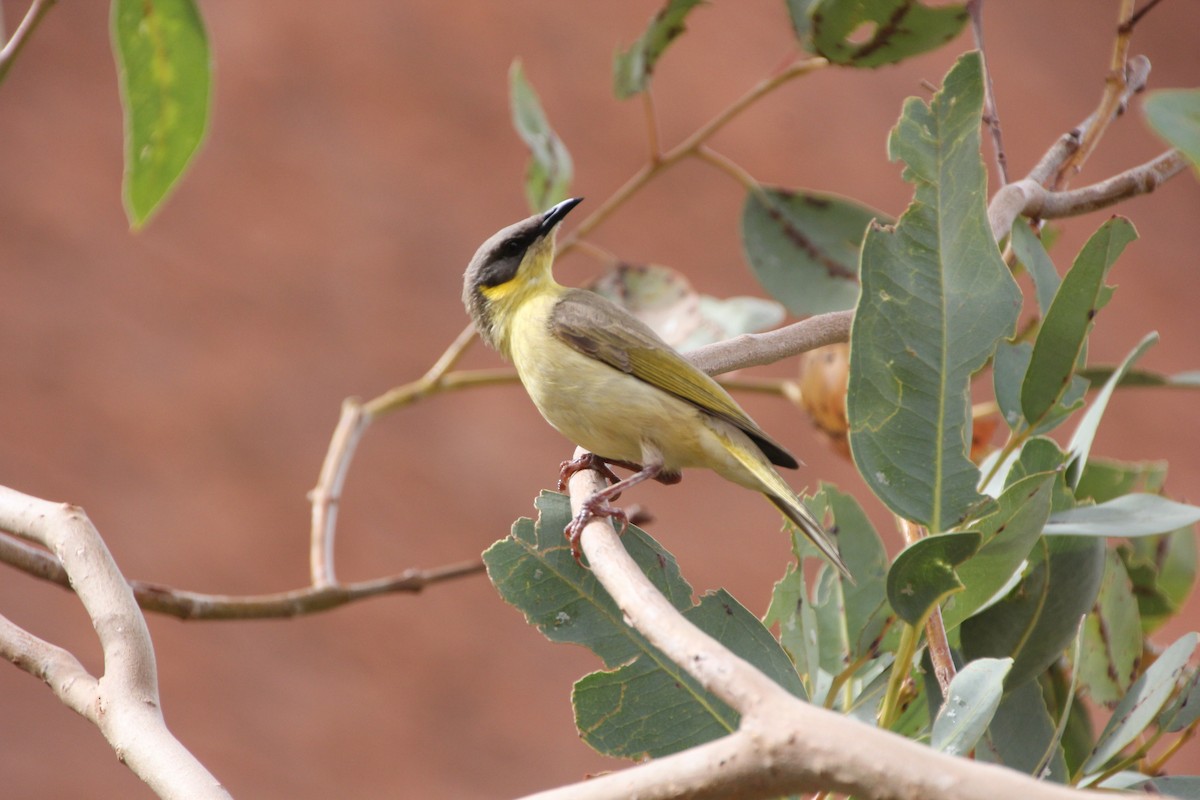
[(937, 299)]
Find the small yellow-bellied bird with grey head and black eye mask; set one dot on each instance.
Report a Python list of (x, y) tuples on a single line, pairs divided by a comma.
[(611, 386)]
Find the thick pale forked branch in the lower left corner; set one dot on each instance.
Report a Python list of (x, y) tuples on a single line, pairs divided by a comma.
[(124, 703)]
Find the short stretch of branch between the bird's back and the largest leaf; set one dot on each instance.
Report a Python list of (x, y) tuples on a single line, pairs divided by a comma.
[(758, 350)]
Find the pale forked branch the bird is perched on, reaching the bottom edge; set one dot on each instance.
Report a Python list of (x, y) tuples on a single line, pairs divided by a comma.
[(783, 745)]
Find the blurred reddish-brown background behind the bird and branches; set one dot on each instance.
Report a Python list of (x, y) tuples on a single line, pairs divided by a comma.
[(182, 383)]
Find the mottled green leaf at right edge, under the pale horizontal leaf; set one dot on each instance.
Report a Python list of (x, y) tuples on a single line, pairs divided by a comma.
[(1163, 570)]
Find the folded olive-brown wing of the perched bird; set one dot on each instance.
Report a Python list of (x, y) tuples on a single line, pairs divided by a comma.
[(599, 329)]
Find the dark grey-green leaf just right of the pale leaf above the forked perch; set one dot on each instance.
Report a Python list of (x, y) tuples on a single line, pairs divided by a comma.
[(1022, 733)]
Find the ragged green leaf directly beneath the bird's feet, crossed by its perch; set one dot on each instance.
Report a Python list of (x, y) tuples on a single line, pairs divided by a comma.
[(533, 569)]
